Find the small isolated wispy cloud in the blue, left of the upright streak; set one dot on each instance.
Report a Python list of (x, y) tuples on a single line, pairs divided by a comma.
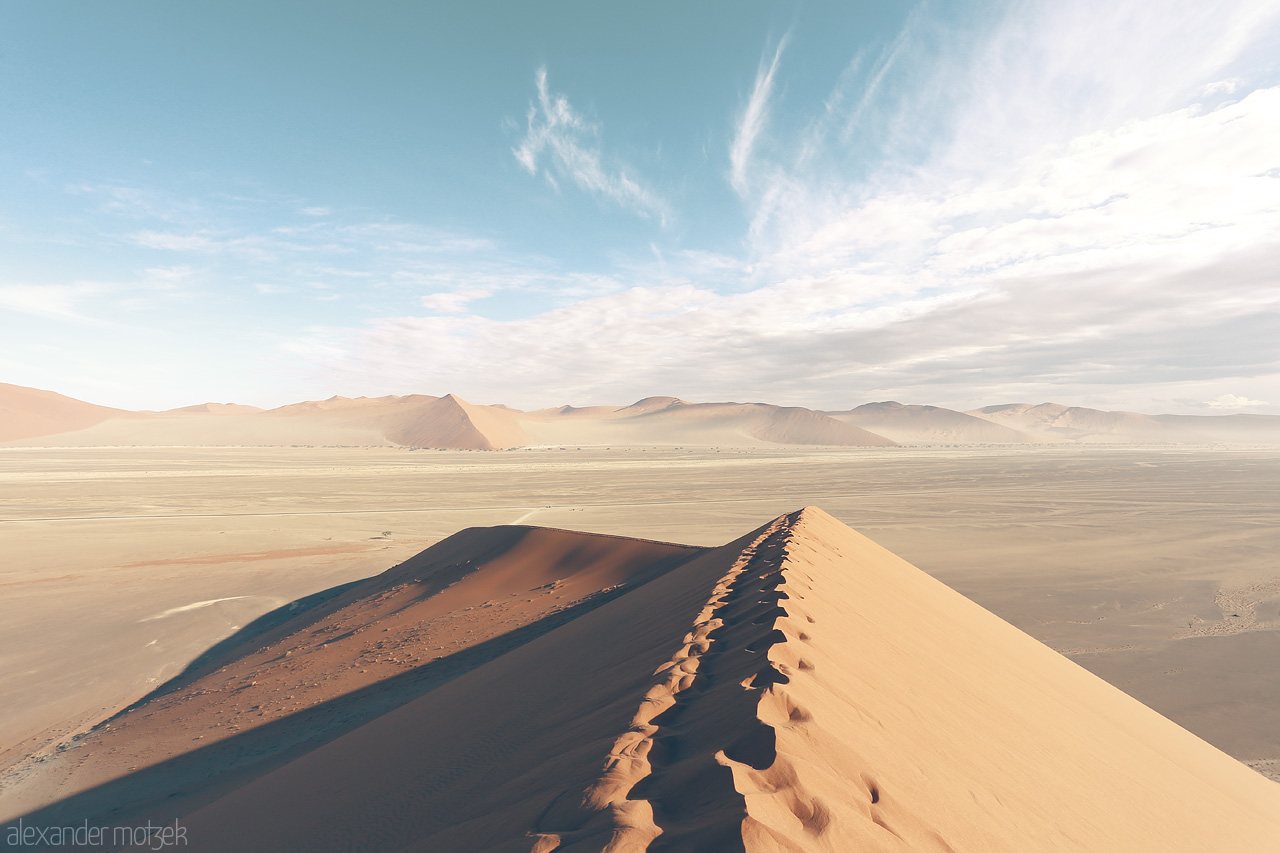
[(564, 145)]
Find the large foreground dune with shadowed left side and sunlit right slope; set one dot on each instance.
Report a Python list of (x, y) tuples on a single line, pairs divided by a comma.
[(532, 690)]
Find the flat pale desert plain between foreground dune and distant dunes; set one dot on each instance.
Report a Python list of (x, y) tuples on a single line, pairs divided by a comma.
[(1158, 569)]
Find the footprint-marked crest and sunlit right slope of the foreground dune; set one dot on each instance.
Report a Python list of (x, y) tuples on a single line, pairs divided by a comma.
[(733, 749)]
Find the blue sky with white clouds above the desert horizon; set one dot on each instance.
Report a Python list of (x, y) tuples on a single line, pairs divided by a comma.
[(816, 204)]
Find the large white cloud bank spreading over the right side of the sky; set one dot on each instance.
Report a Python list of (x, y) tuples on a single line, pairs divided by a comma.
[(1075, 200)]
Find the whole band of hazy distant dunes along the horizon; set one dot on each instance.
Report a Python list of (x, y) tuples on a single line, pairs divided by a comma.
[(34, 418)]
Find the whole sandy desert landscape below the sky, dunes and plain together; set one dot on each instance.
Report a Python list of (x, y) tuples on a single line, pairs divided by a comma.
[(341, 621)]
